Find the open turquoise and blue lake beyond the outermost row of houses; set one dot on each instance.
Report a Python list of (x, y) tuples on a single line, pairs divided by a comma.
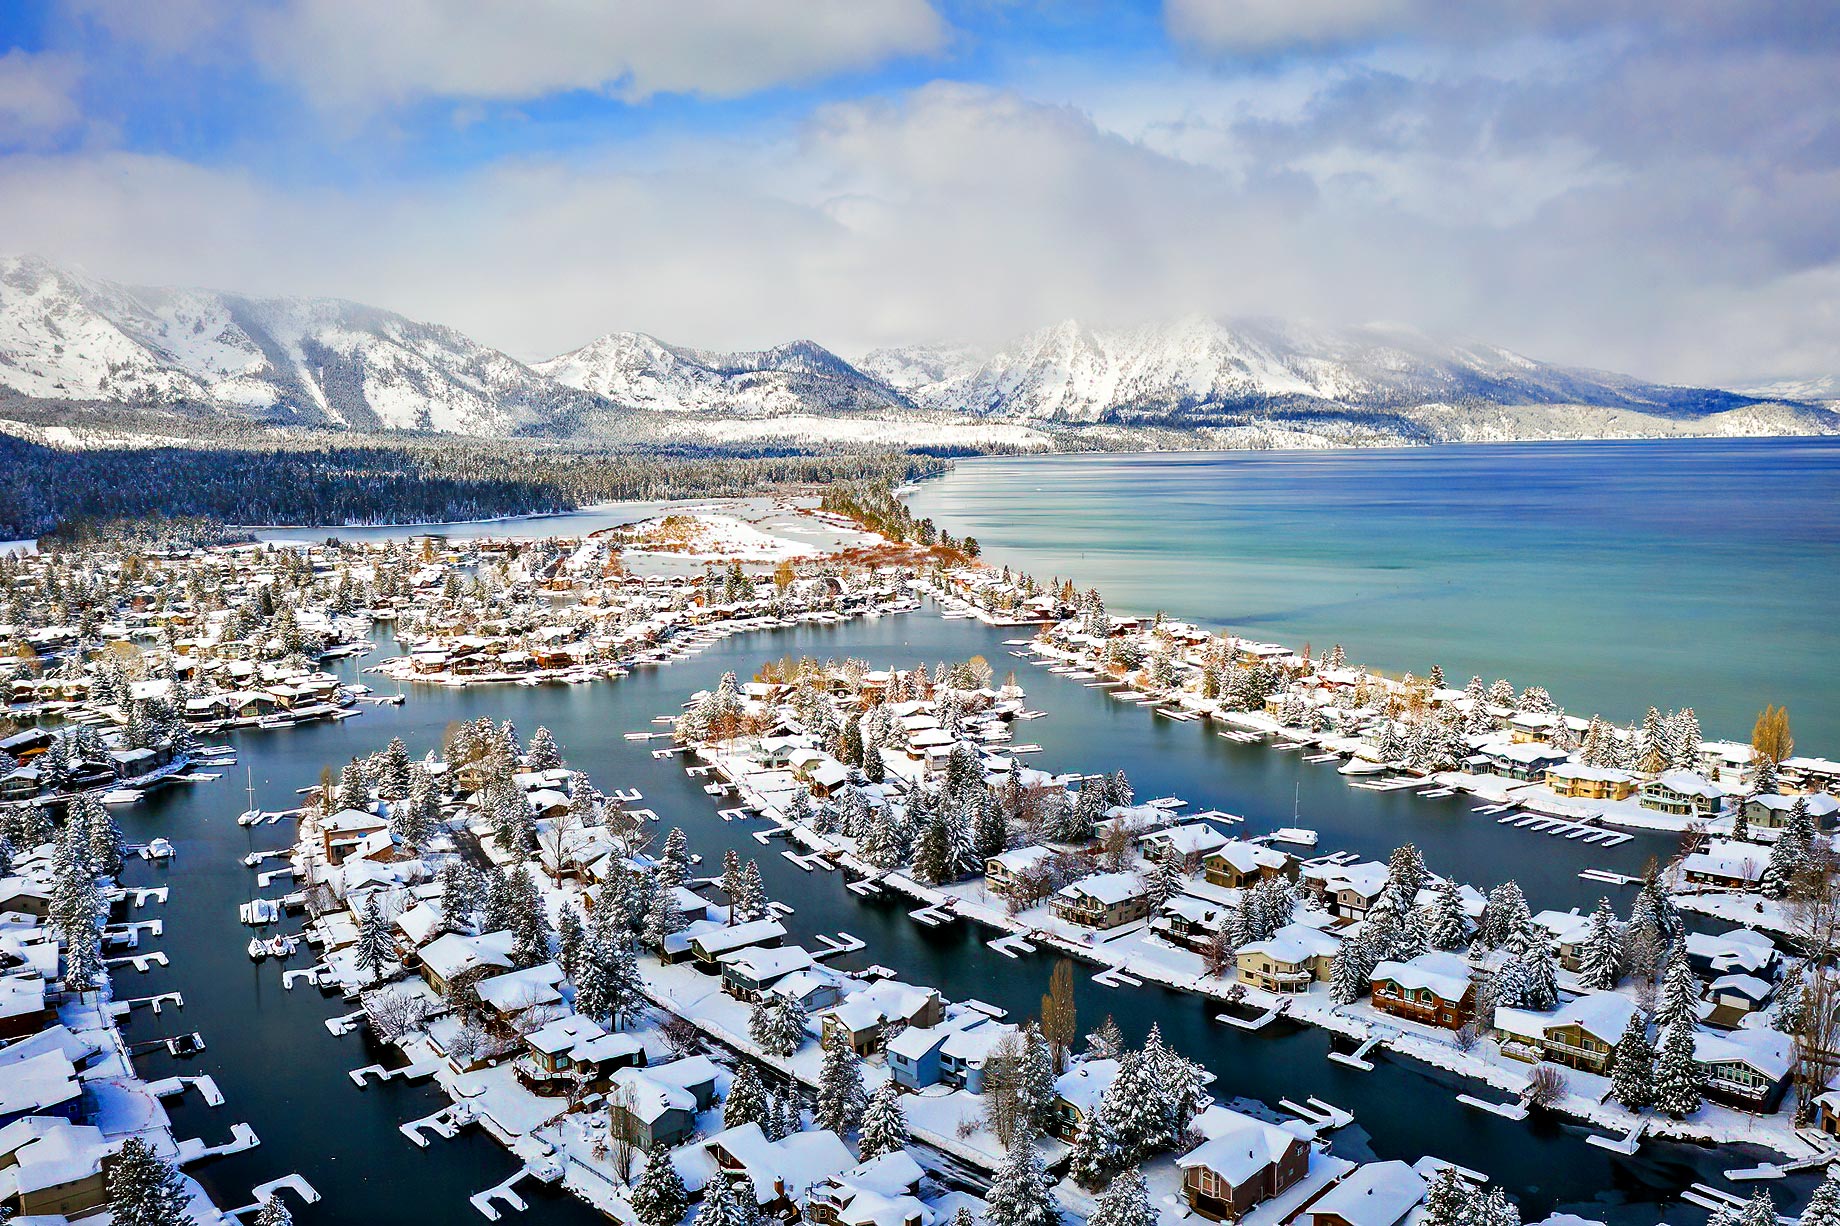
[(1677, 573)]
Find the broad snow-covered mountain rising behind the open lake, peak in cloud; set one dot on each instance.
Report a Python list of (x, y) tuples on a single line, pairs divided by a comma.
[(1201, 371)]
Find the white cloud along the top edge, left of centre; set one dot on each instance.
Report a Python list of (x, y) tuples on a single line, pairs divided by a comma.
[(358, 56)]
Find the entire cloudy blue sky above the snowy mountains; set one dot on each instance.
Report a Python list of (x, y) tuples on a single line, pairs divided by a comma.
[(1639, 185)]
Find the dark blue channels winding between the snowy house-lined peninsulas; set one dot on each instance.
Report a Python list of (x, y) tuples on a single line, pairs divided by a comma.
[(284, 1072)]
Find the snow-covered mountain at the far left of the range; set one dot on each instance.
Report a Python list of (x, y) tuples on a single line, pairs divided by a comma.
[(292, 362)]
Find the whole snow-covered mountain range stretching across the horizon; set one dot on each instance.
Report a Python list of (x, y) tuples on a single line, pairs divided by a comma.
[(338, 365)]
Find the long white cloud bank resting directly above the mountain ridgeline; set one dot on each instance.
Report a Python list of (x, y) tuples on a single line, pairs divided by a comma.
[(960, 211)]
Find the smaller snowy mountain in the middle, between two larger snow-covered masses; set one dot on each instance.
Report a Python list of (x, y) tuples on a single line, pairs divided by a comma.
[(645, 373)]
